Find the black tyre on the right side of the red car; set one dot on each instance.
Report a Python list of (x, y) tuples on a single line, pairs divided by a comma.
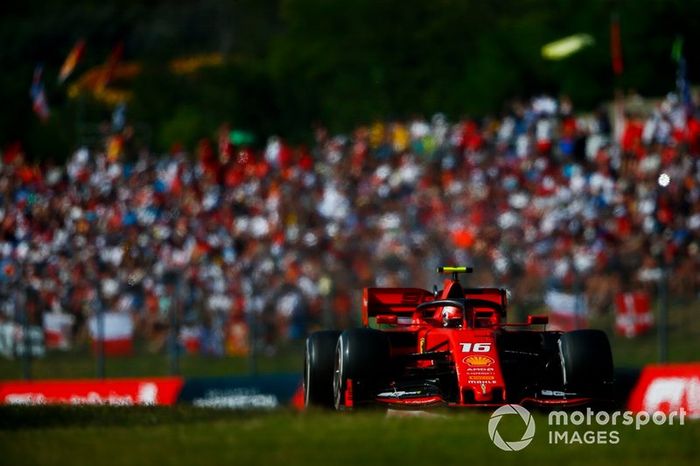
[(586, 361)]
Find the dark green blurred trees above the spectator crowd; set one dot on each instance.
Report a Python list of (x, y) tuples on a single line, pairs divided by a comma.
[(293, 63)]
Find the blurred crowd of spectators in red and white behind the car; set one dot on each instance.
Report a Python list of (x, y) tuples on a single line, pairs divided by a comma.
[(227, 240)]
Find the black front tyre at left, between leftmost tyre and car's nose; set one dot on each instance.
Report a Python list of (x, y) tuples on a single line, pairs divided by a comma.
[(361, 364)]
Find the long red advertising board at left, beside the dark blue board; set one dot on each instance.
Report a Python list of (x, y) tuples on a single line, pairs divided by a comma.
[(116, 392)]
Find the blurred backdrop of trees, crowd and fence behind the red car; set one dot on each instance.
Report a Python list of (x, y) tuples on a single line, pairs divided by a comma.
[(192, 187)]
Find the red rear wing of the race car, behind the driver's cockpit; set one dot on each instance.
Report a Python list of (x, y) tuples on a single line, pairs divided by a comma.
[(402, 302)]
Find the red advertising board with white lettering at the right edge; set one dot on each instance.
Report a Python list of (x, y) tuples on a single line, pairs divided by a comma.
[(668, 388)]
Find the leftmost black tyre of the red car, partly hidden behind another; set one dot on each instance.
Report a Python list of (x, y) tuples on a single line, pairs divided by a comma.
[(319, 358)]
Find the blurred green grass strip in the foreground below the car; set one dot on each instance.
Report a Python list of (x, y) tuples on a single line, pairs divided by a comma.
[(183, 435)]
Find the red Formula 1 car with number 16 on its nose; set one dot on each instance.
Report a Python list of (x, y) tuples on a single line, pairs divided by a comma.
[(453, 347)]
